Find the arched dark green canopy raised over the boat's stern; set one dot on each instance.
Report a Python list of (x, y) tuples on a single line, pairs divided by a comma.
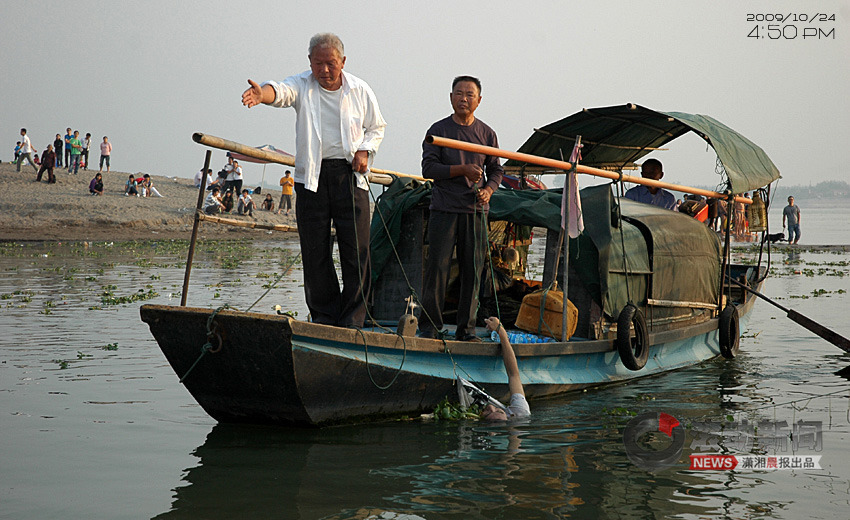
[(615, 137)]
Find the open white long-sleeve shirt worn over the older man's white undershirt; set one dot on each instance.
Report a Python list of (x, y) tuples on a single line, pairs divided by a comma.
[(361, 123)]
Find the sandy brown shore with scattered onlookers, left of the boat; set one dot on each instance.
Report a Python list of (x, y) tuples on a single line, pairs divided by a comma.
[(66, 211)]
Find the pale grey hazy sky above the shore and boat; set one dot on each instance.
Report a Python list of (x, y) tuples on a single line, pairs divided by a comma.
[(149, 74)]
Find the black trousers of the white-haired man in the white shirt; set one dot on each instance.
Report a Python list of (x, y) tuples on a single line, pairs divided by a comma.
[(337, 200)]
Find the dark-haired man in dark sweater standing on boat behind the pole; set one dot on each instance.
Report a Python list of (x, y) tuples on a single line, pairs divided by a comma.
[(463, 183)]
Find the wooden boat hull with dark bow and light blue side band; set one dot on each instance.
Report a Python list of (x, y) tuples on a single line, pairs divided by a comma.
[(270, 369)]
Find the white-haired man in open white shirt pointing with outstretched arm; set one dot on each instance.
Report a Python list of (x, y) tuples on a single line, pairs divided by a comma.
[(338, 129)]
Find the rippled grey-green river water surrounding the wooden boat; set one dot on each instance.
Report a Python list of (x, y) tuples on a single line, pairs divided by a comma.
[(94, 423)]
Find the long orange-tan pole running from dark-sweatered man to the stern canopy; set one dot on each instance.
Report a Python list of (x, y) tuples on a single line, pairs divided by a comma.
[(563, 165)]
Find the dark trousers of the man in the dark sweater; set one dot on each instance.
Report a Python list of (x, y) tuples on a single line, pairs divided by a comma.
[(445, 231)]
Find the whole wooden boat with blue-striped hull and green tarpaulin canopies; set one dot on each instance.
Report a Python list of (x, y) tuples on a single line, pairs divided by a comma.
[(268, 368)]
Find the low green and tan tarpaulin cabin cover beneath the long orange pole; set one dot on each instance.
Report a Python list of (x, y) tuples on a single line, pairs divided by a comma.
[(669, 256)]
